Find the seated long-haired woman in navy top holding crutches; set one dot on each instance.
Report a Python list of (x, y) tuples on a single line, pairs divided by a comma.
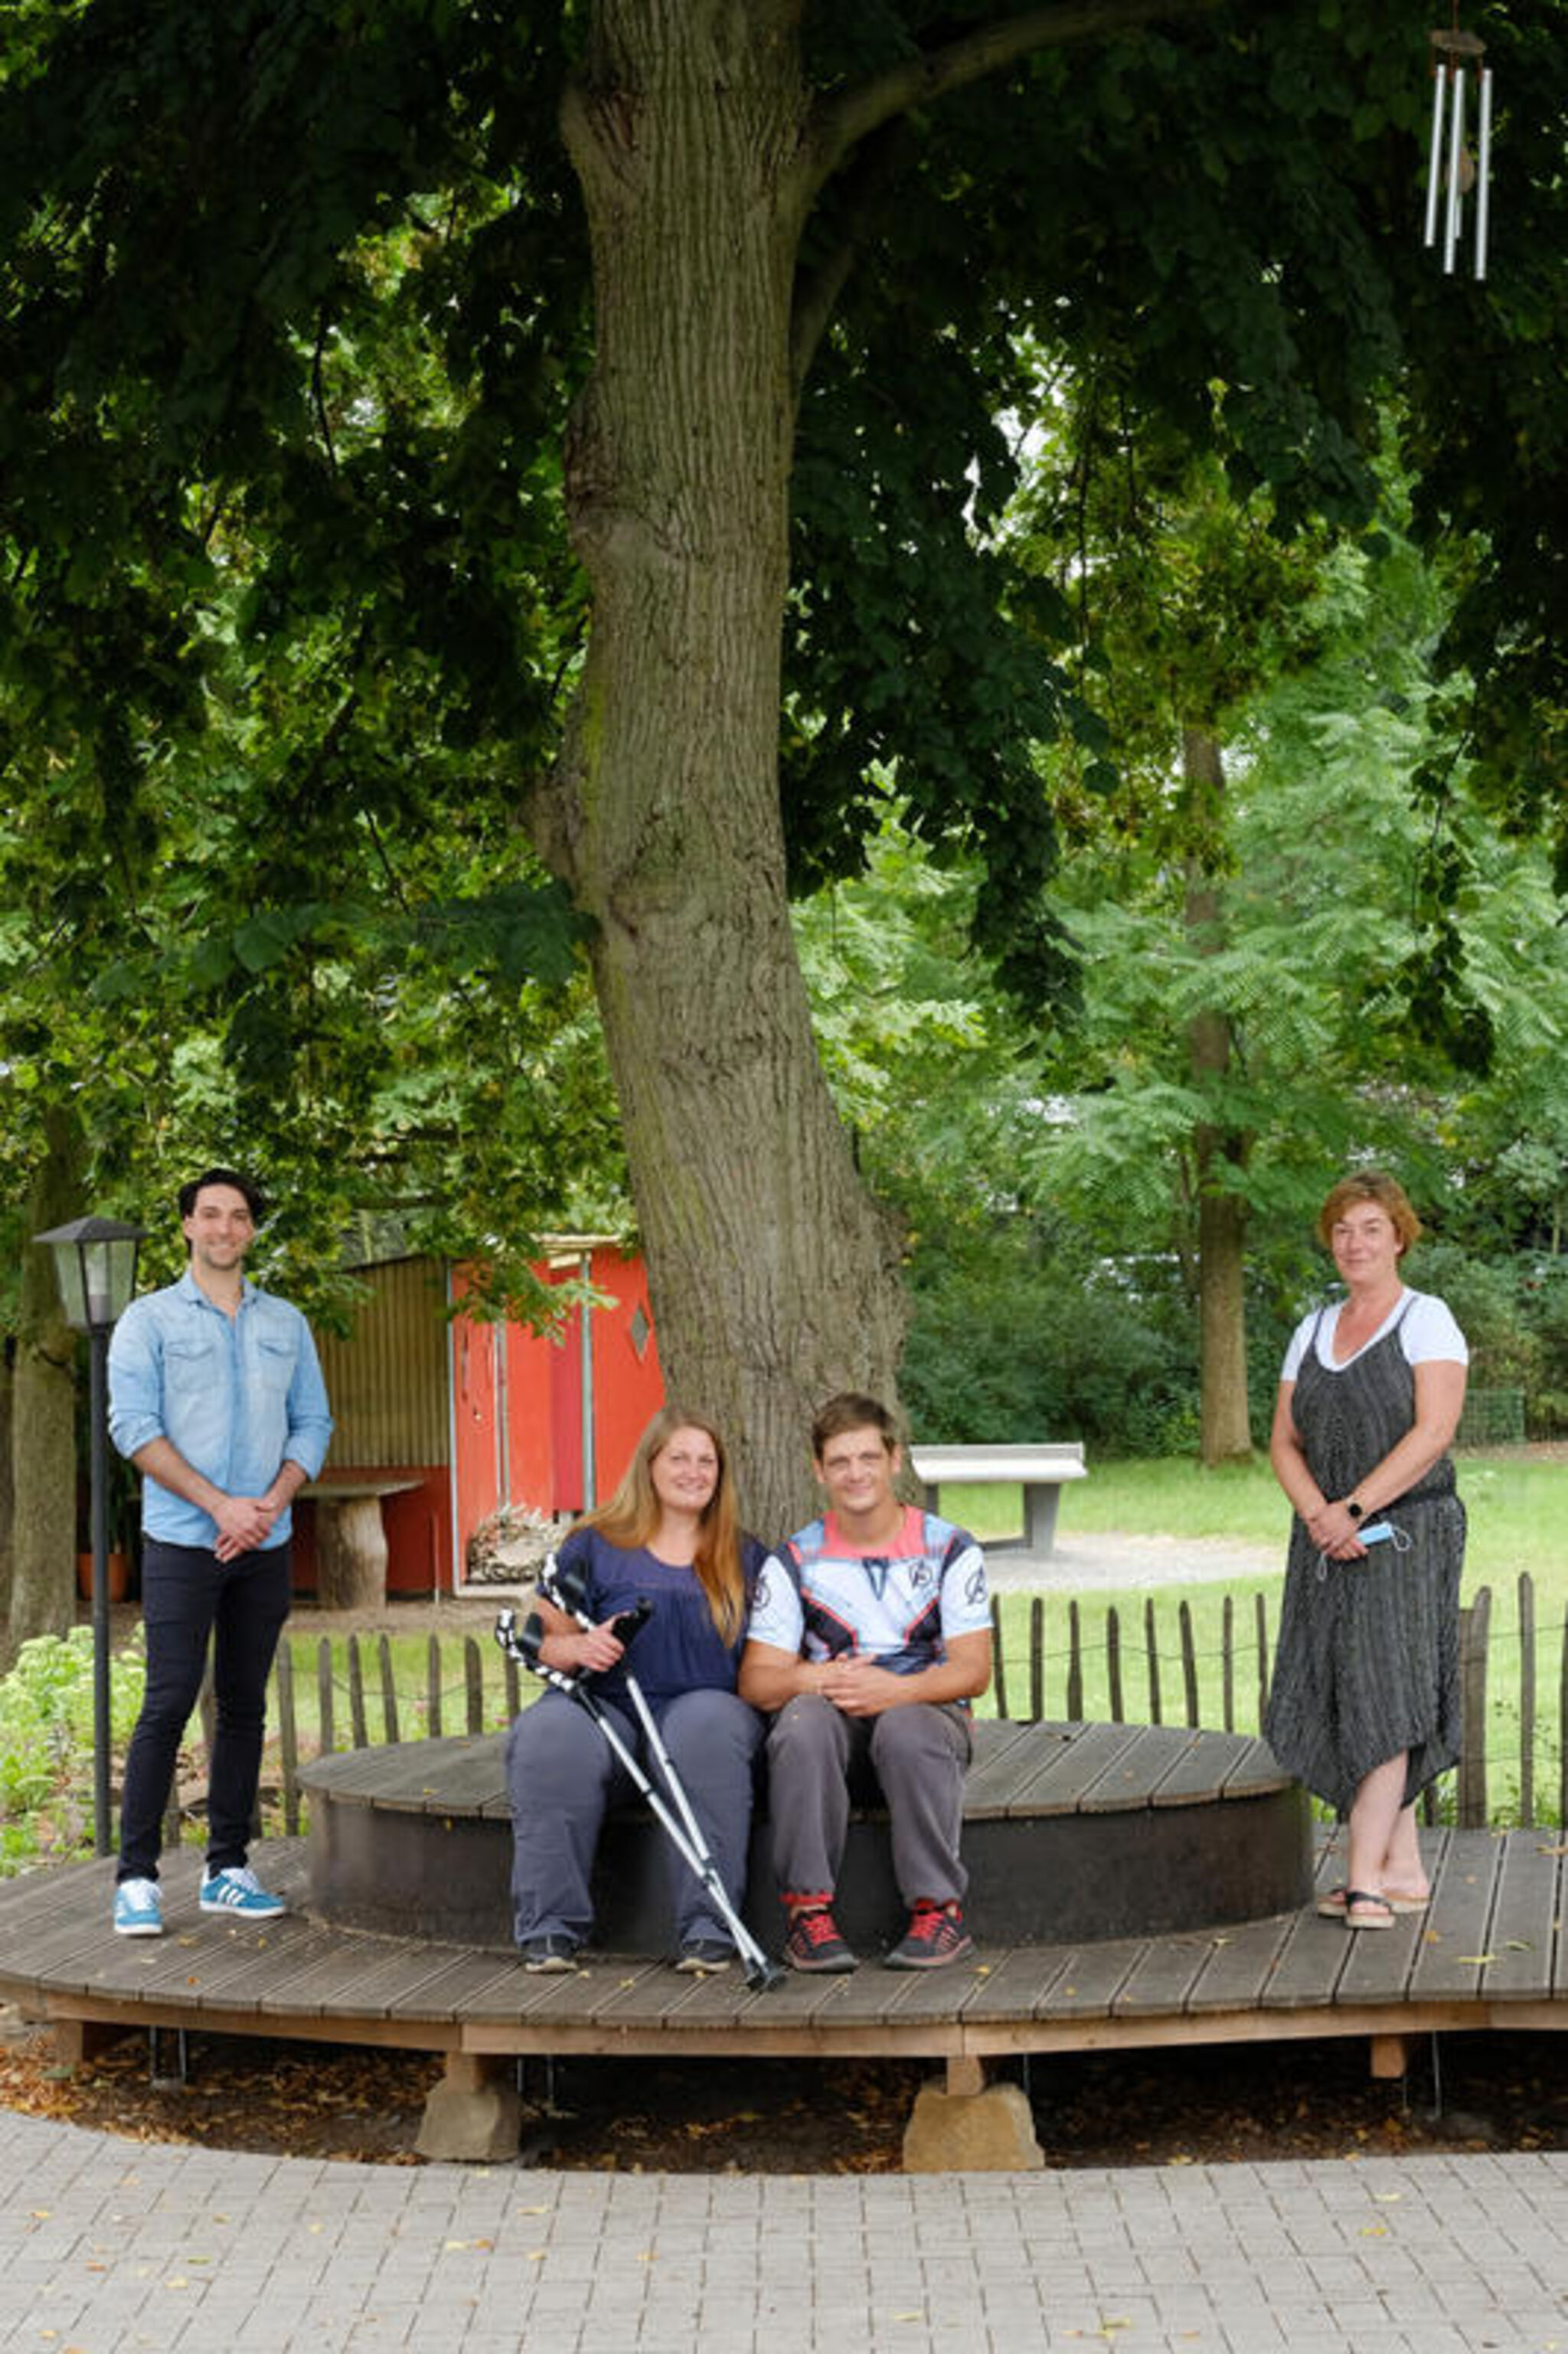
[(670, 1538)]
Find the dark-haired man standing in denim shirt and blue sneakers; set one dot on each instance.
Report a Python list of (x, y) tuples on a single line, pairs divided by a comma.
[(215, 1395)]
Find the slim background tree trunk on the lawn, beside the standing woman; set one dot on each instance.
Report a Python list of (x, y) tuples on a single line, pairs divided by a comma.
[(1225, 1428)]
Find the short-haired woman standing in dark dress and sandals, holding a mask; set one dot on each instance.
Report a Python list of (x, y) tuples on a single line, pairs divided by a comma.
[(1367, 1682)]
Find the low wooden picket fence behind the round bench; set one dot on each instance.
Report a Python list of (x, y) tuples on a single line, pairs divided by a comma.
[(470, 1687)]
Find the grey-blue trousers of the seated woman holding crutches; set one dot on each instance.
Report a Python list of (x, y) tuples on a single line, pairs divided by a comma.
[(562, 1776)]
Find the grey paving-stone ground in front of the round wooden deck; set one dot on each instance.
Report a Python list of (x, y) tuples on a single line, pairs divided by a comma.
[(114, 2247)]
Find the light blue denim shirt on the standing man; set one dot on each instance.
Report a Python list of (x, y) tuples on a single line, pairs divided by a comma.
[(234, 1395)]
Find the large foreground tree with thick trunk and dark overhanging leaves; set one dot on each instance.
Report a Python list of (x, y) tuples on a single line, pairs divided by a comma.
[(802, 230)]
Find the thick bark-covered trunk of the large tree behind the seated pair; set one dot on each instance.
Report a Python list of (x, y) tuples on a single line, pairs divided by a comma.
[(773, 1275)]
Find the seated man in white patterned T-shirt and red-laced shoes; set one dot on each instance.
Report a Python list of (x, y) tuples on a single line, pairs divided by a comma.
[(870, 1637)]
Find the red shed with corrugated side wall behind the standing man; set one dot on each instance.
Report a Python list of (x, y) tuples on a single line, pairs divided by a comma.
[(441, 1418)]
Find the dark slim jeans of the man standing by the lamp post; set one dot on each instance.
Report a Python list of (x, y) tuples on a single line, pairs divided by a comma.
[(187, 1600)]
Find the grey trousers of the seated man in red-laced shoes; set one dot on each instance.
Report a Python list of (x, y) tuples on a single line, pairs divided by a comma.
[(917, 1755)]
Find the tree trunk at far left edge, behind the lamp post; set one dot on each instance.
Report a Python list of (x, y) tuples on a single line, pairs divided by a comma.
[(44, 1409)]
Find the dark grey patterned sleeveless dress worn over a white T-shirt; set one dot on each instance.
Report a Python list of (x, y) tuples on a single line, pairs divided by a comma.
[(1369, 1651)]
